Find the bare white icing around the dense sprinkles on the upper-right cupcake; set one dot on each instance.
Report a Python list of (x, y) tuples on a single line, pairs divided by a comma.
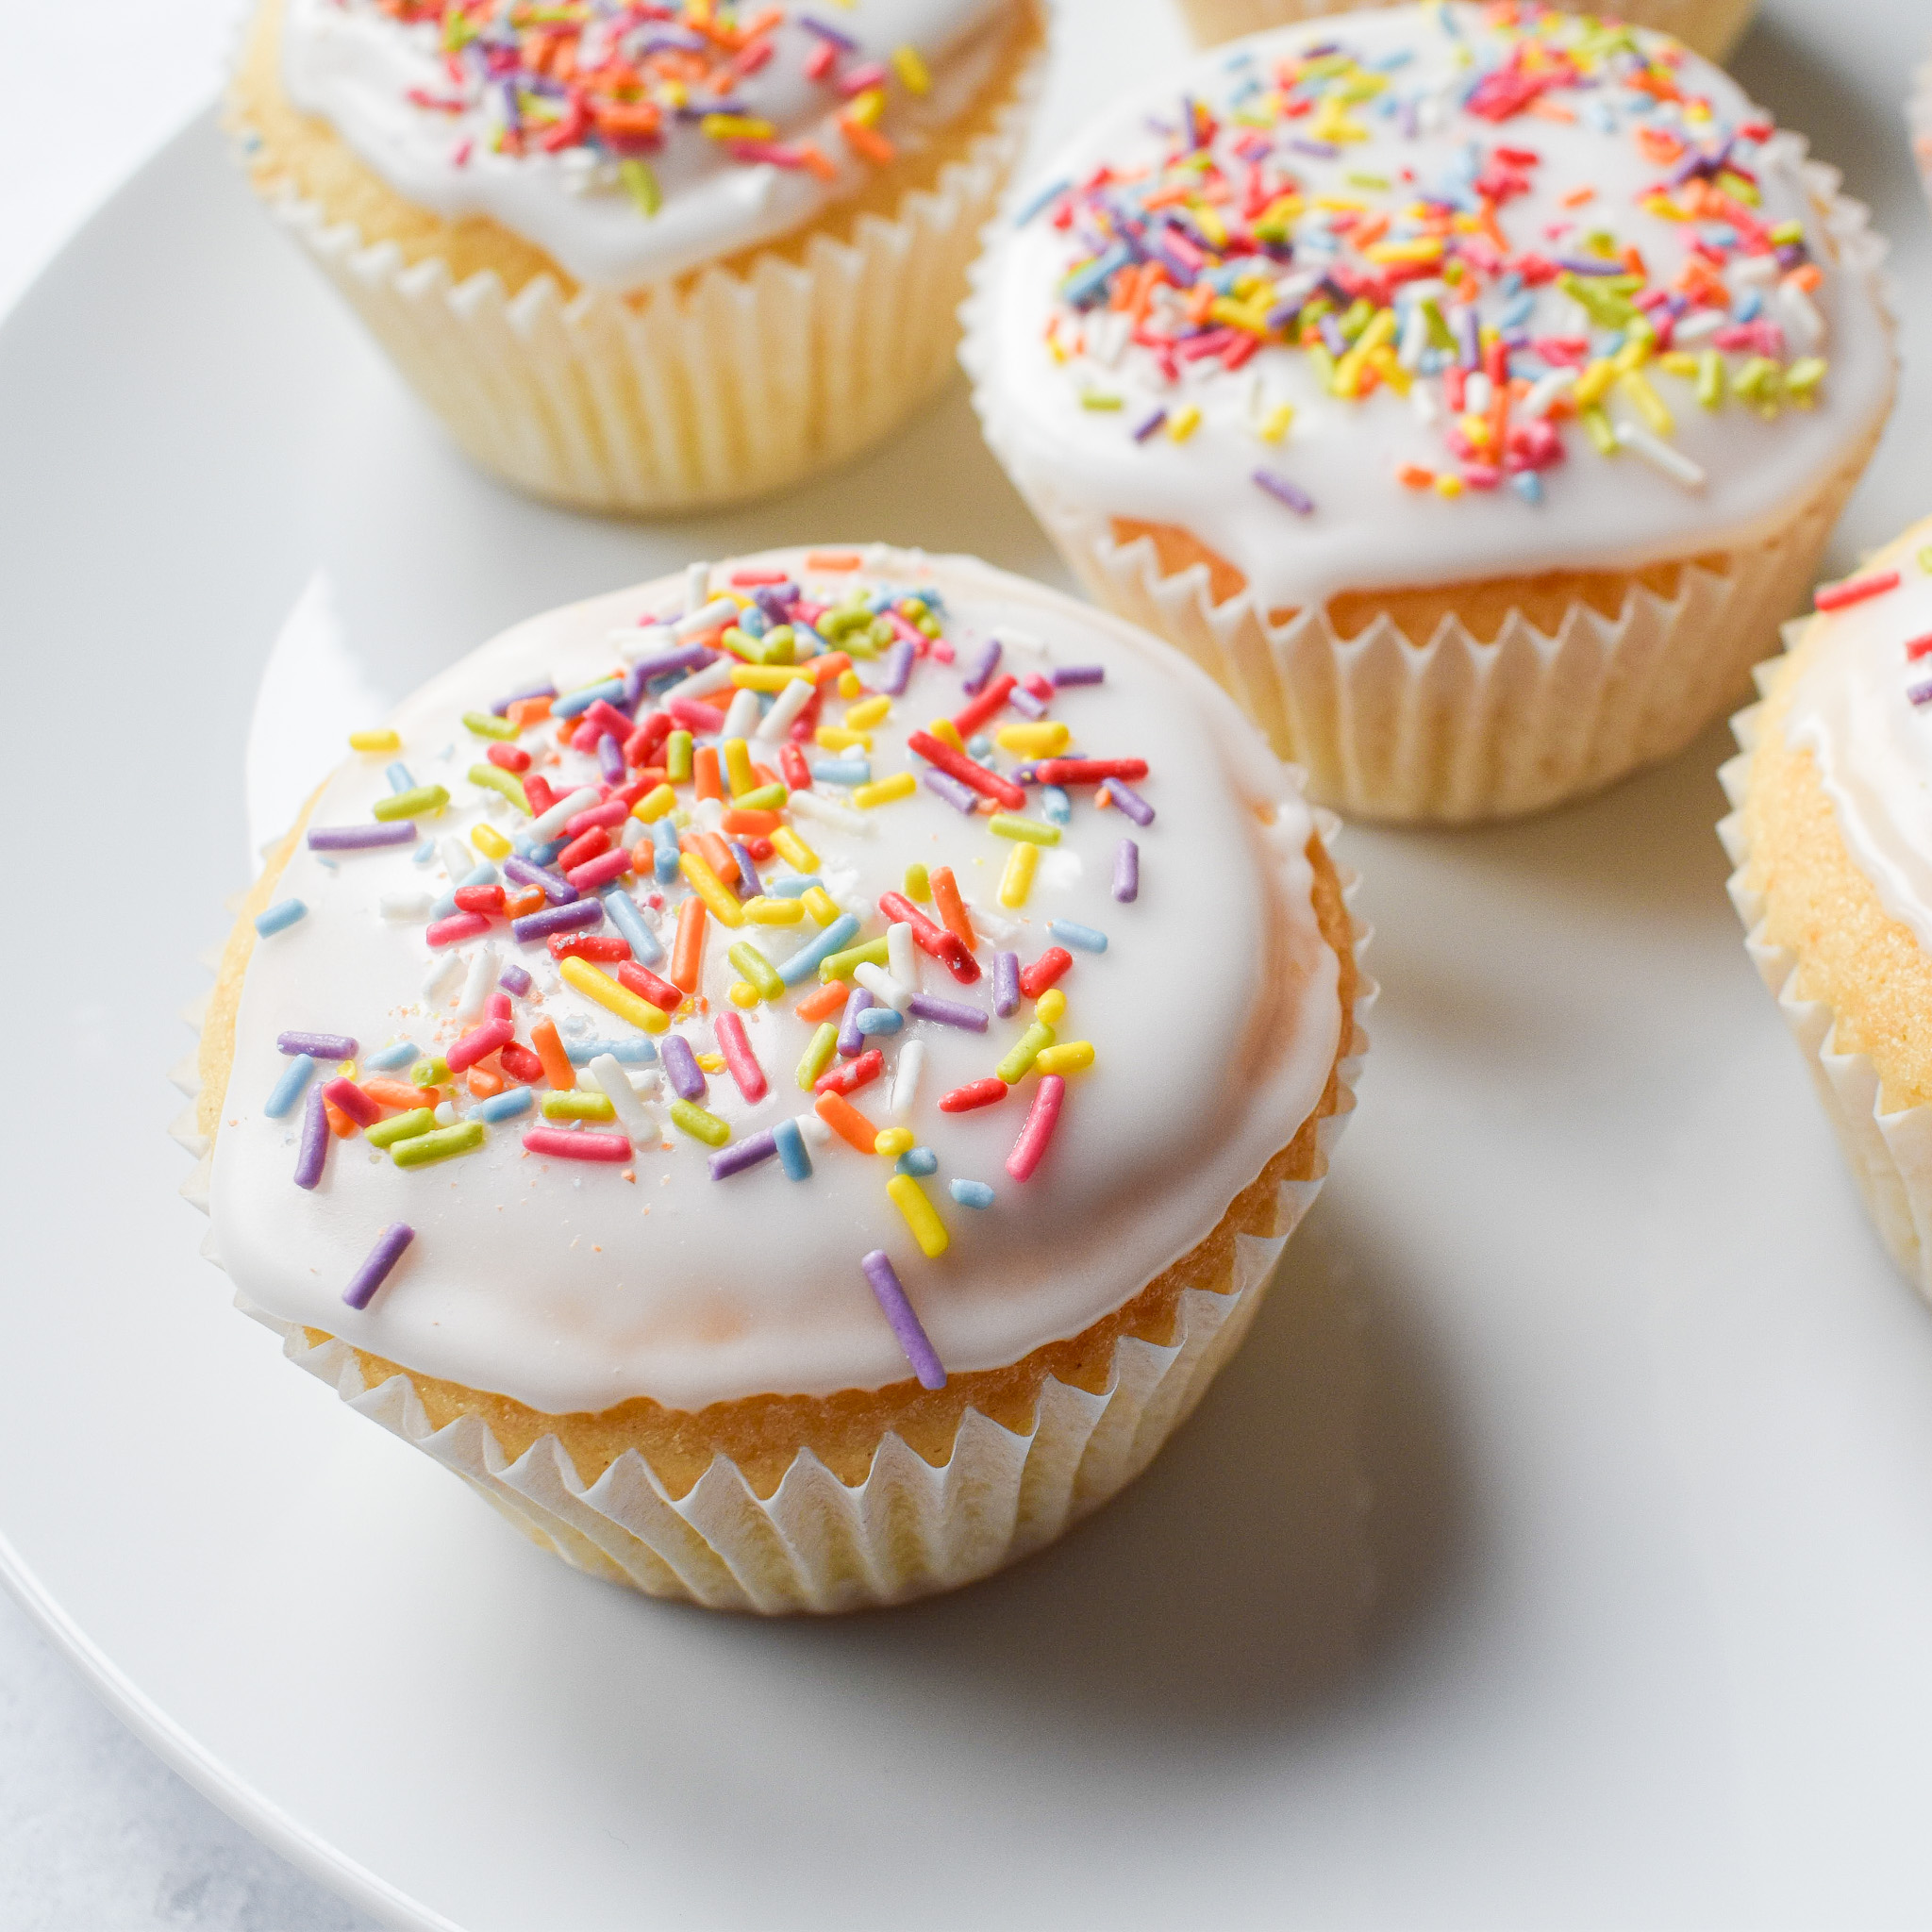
[(1369, 532)]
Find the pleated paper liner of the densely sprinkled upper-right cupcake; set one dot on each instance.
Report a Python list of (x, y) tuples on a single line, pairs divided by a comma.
[(1462, 731)]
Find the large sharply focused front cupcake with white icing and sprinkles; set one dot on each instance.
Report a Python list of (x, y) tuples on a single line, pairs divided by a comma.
[(695, 1071)]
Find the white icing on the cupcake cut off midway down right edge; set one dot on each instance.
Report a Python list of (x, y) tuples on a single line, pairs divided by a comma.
[(1873, 747)]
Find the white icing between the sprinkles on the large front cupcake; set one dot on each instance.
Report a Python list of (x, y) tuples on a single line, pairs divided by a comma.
[(1214, 1015)]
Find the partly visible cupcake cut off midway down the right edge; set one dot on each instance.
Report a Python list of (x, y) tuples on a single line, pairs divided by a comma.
[(1833, 839)]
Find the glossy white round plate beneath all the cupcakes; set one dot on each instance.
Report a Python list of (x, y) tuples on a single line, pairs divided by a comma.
[(1558, 1552)]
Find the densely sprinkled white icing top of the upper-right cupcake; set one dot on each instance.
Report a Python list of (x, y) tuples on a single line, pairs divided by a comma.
[(1435, 295)]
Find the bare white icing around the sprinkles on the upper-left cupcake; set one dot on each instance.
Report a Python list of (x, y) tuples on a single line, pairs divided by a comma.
[(356, 67)]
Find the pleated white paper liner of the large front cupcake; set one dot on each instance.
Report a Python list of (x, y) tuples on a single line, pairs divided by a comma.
[(818, 1545)]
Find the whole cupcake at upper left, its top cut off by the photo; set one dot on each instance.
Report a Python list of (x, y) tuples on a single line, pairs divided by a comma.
[(646, 258)]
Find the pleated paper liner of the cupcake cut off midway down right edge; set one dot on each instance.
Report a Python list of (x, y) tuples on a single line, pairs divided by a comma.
[(1889, 1154)]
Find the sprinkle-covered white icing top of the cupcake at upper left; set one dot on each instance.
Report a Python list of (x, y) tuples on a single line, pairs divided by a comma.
[(627, 142)]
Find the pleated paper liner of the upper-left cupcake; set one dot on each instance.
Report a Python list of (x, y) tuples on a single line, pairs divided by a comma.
[(714, 389)]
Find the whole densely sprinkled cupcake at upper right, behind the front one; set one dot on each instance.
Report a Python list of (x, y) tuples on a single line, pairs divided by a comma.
[(1469, 389)]
